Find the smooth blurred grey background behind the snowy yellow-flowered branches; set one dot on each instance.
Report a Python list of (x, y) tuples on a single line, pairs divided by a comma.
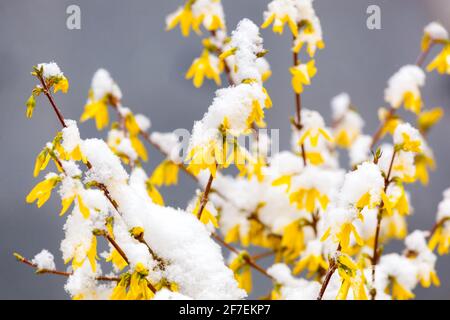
[(128, 38)]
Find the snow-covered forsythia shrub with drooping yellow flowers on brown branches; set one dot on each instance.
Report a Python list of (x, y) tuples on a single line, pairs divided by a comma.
[(321, 222)]
